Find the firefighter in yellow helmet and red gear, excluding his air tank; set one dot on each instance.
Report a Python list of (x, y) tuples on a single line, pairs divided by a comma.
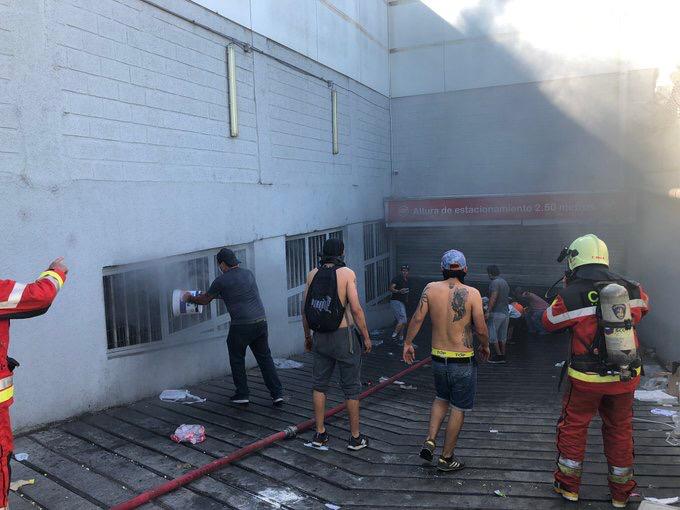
[(595, 384)]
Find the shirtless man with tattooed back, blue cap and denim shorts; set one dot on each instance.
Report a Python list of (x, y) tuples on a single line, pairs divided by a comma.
[(454, 308)]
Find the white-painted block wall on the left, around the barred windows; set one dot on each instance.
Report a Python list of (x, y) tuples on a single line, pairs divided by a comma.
[(114, 149)]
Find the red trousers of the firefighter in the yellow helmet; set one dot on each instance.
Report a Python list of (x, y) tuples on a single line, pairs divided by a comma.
[(616, 411)]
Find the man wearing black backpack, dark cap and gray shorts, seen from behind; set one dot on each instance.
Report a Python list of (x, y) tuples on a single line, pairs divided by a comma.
[(331, 288)]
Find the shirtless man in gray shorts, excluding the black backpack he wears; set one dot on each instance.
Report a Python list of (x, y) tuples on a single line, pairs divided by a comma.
[(339, 347)]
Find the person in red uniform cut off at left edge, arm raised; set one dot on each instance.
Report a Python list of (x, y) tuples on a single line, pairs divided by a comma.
[(19, 301)]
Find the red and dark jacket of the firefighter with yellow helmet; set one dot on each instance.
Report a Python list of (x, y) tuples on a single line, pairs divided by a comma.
[(575, 307)]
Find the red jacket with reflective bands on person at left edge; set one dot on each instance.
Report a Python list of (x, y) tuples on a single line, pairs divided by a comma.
[(21, 301)]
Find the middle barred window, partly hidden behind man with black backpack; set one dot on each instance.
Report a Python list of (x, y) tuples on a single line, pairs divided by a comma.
[(302, 255)]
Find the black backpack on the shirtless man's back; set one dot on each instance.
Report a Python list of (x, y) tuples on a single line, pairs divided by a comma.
[(323, 309)]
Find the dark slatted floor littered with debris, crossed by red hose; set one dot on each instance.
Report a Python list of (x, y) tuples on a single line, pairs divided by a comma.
[(102, 459)]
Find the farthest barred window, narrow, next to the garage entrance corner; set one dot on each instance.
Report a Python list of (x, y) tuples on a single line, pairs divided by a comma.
[(377, 263)]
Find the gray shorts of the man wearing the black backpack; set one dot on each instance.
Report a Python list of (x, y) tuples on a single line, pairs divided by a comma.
[(331, 349)]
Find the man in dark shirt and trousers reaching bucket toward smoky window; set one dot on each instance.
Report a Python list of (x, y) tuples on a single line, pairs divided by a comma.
[(238, 289)]
